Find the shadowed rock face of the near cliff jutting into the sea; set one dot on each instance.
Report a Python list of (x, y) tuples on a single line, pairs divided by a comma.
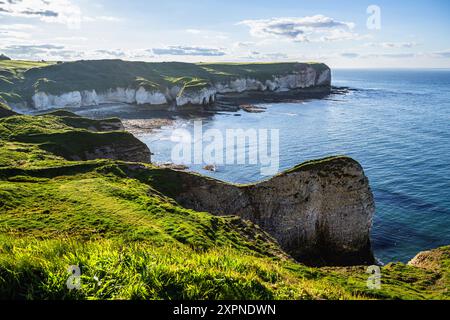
[(320, 212)]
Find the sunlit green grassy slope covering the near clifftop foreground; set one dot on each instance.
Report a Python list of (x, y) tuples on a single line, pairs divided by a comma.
[(140, 244)]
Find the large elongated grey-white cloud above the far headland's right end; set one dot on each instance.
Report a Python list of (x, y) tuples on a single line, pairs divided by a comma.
[(304, 29)]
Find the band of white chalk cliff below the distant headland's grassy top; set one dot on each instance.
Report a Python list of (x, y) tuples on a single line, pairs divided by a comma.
[(306, 78)]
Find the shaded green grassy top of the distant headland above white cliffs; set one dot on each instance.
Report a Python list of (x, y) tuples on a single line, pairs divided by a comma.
[(20, 79)]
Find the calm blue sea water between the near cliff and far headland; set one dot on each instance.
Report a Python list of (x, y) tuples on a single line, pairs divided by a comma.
[(396, 123)]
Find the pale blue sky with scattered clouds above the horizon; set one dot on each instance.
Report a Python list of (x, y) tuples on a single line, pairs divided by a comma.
[(343, 34)]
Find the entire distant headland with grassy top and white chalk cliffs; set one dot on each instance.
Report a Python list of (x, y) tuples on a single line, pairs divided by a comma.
[(87, 83)]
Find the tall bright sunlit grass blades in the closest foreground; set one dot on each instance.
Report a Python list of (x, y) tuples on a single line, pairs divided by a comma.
[(115, 270)]
